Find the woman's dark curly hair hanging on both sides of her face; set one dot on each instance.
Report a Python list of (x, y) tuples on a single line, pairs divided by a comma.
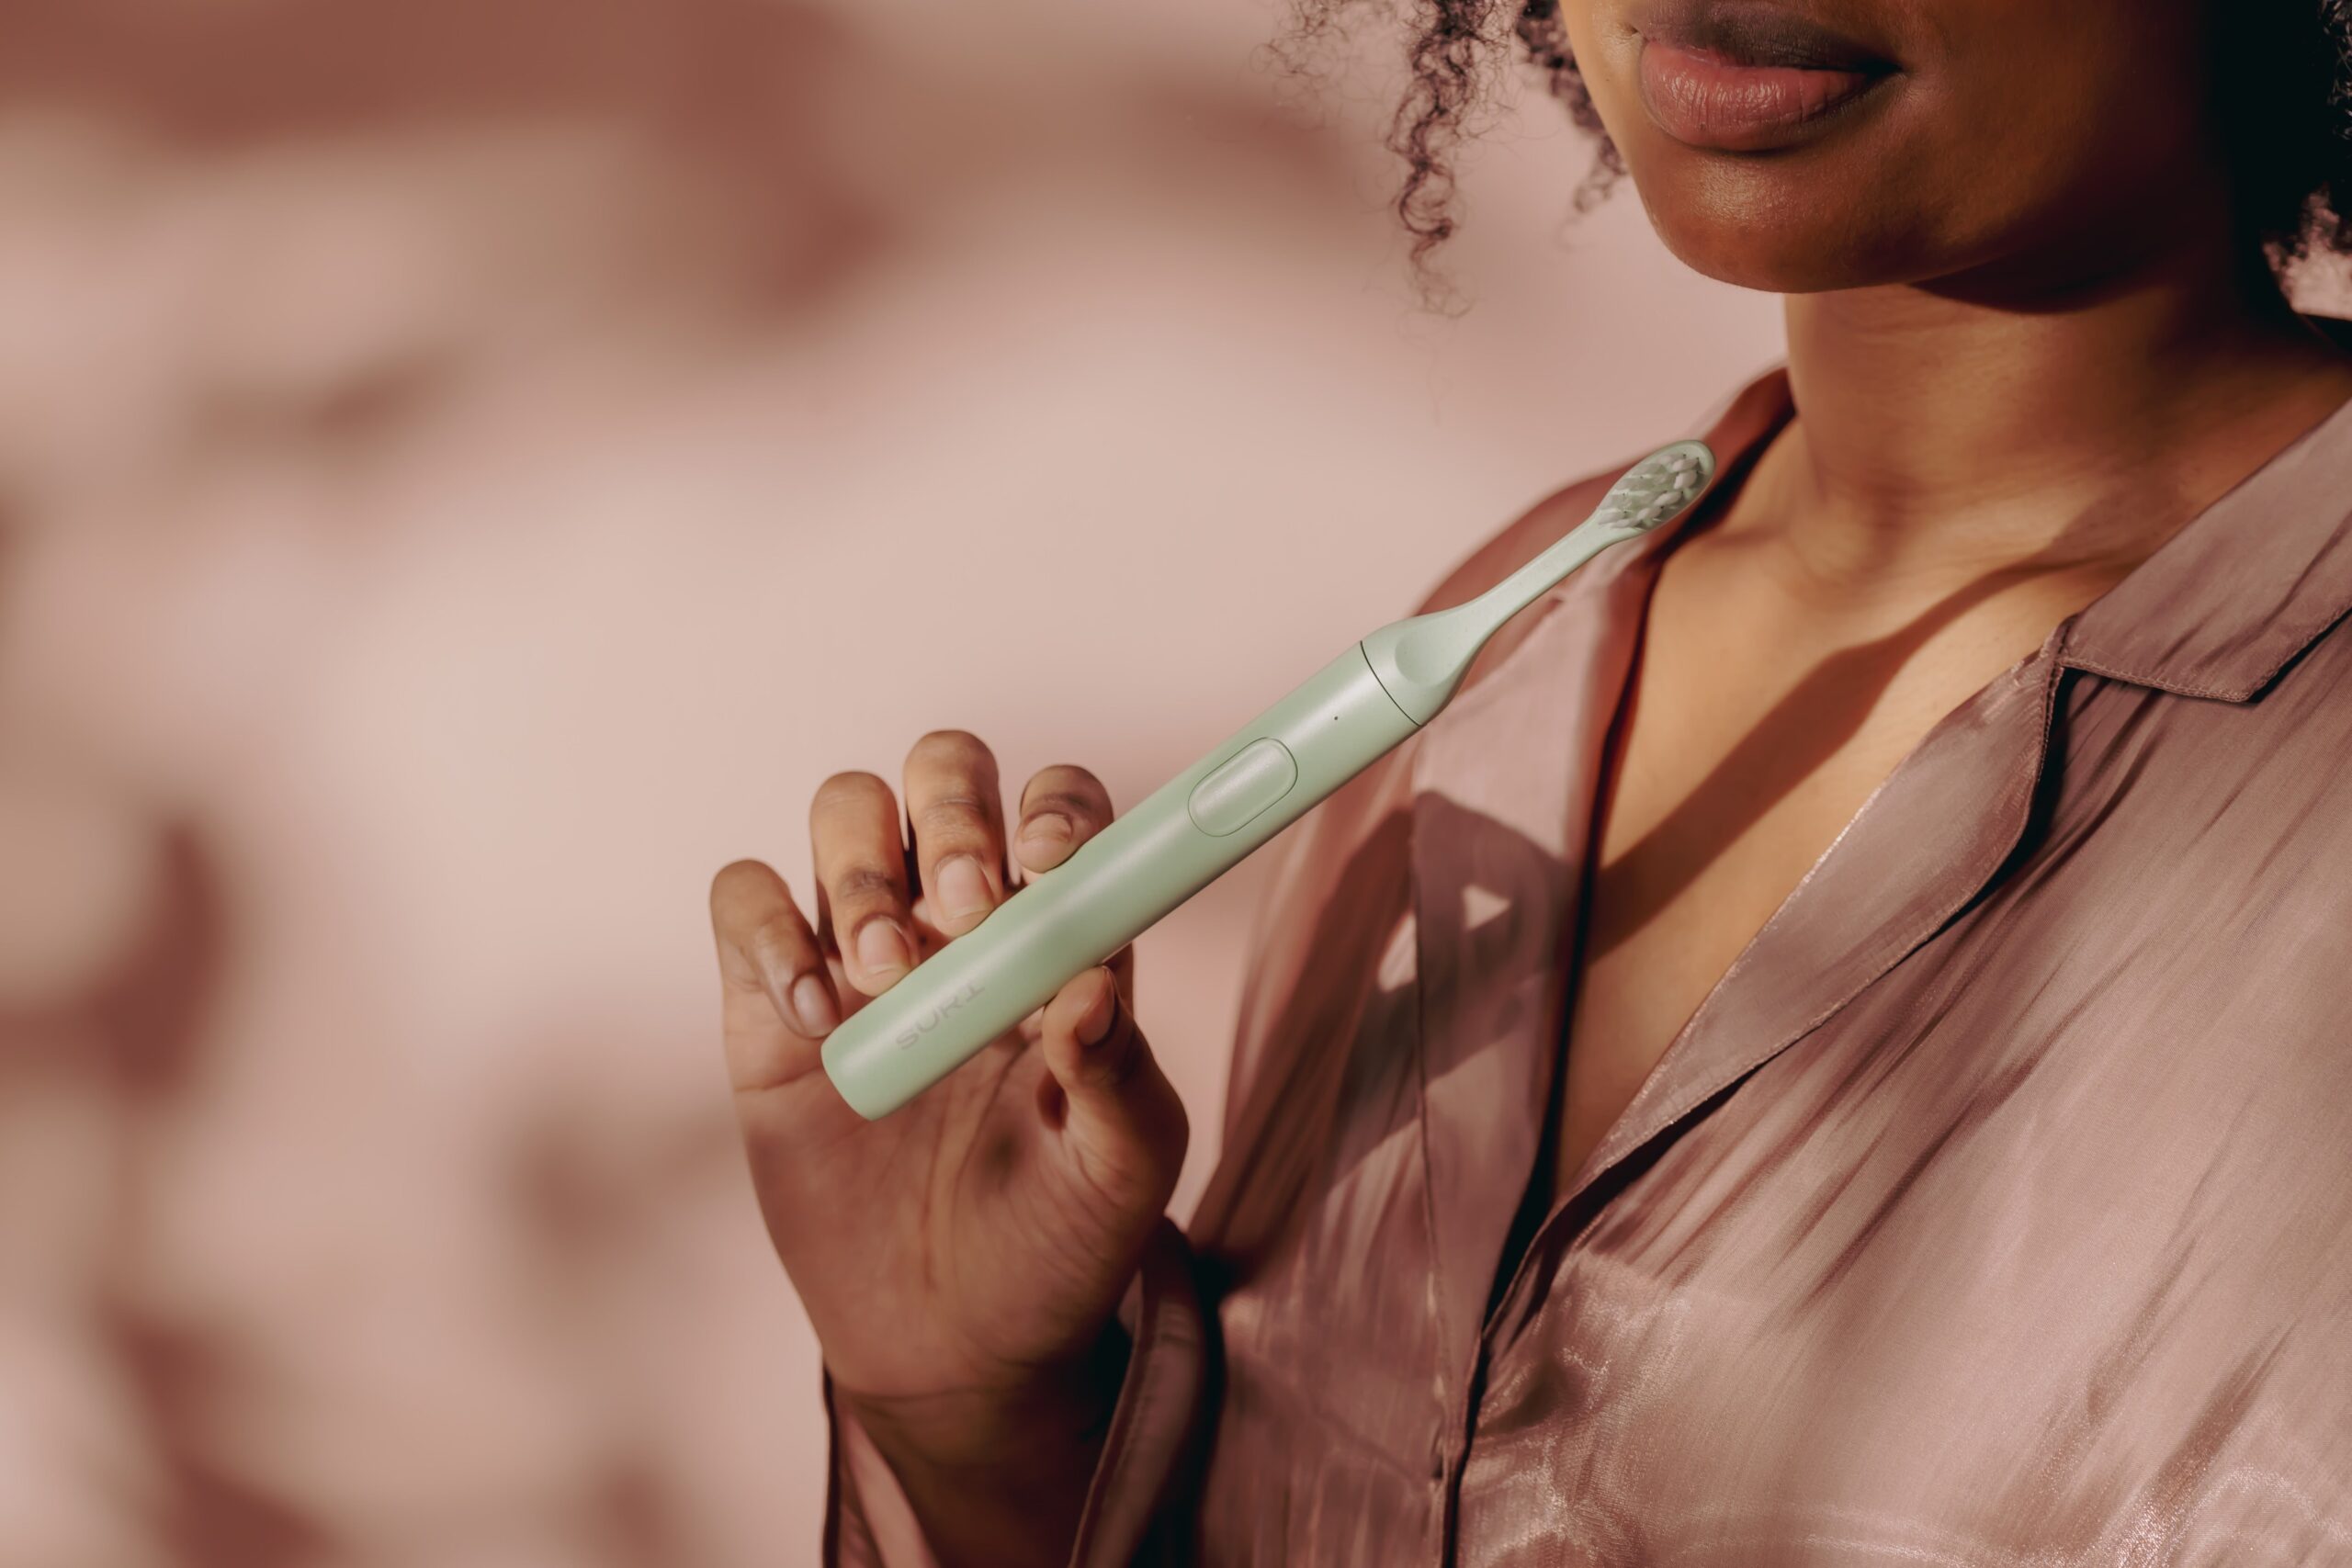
[(2285, 69)]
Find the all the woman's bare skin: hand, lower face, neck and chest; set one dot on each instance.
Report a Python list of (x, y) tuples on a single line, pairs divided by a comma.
[(2026, 351)]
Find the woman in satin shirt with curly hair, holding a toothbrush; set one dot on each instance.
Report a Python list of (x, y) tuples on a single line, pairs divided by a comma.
[(1831, 1050)]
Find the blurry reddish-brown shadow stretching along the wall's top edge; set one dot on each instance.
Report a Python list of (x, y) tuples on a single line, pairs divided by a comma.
[(808, 147)]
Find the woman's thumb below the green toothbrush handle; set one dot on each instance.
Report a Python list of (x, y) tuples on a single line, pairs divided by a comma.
[(1121, 1120)]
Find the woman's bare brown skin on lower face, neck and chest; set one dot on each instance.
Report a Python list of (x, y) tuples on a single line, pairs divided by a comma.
[(2024, 351)]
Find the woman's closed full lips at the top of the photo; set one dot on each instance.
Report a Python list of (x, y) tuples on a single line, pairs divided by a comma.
[(1746, 79)]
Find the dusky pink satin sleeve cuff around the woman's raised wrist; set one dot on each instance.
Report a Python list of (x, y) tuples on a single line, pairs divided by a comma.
[(1144, 1492)]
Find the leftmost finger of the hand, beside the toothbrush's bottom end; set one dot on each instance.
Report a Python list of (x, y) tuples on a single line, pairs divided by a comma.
[(777, 996)]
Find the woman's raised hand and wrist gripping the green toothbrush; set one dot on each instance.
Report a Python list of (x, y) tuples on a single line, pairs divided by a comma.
[(961, 1259)]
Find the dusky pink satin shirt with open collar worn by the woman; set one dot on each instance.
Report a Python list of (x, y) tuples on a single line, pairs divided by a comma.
[(1993, 1209)]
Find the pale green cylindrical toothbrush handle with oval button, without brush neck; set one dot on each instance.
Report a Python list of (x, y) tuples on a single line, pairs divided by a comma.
[(1116, 885)]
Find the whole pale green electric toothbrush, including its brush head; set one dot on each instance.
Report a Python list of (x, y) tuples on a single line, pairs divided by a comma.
[(1208, 819)]
